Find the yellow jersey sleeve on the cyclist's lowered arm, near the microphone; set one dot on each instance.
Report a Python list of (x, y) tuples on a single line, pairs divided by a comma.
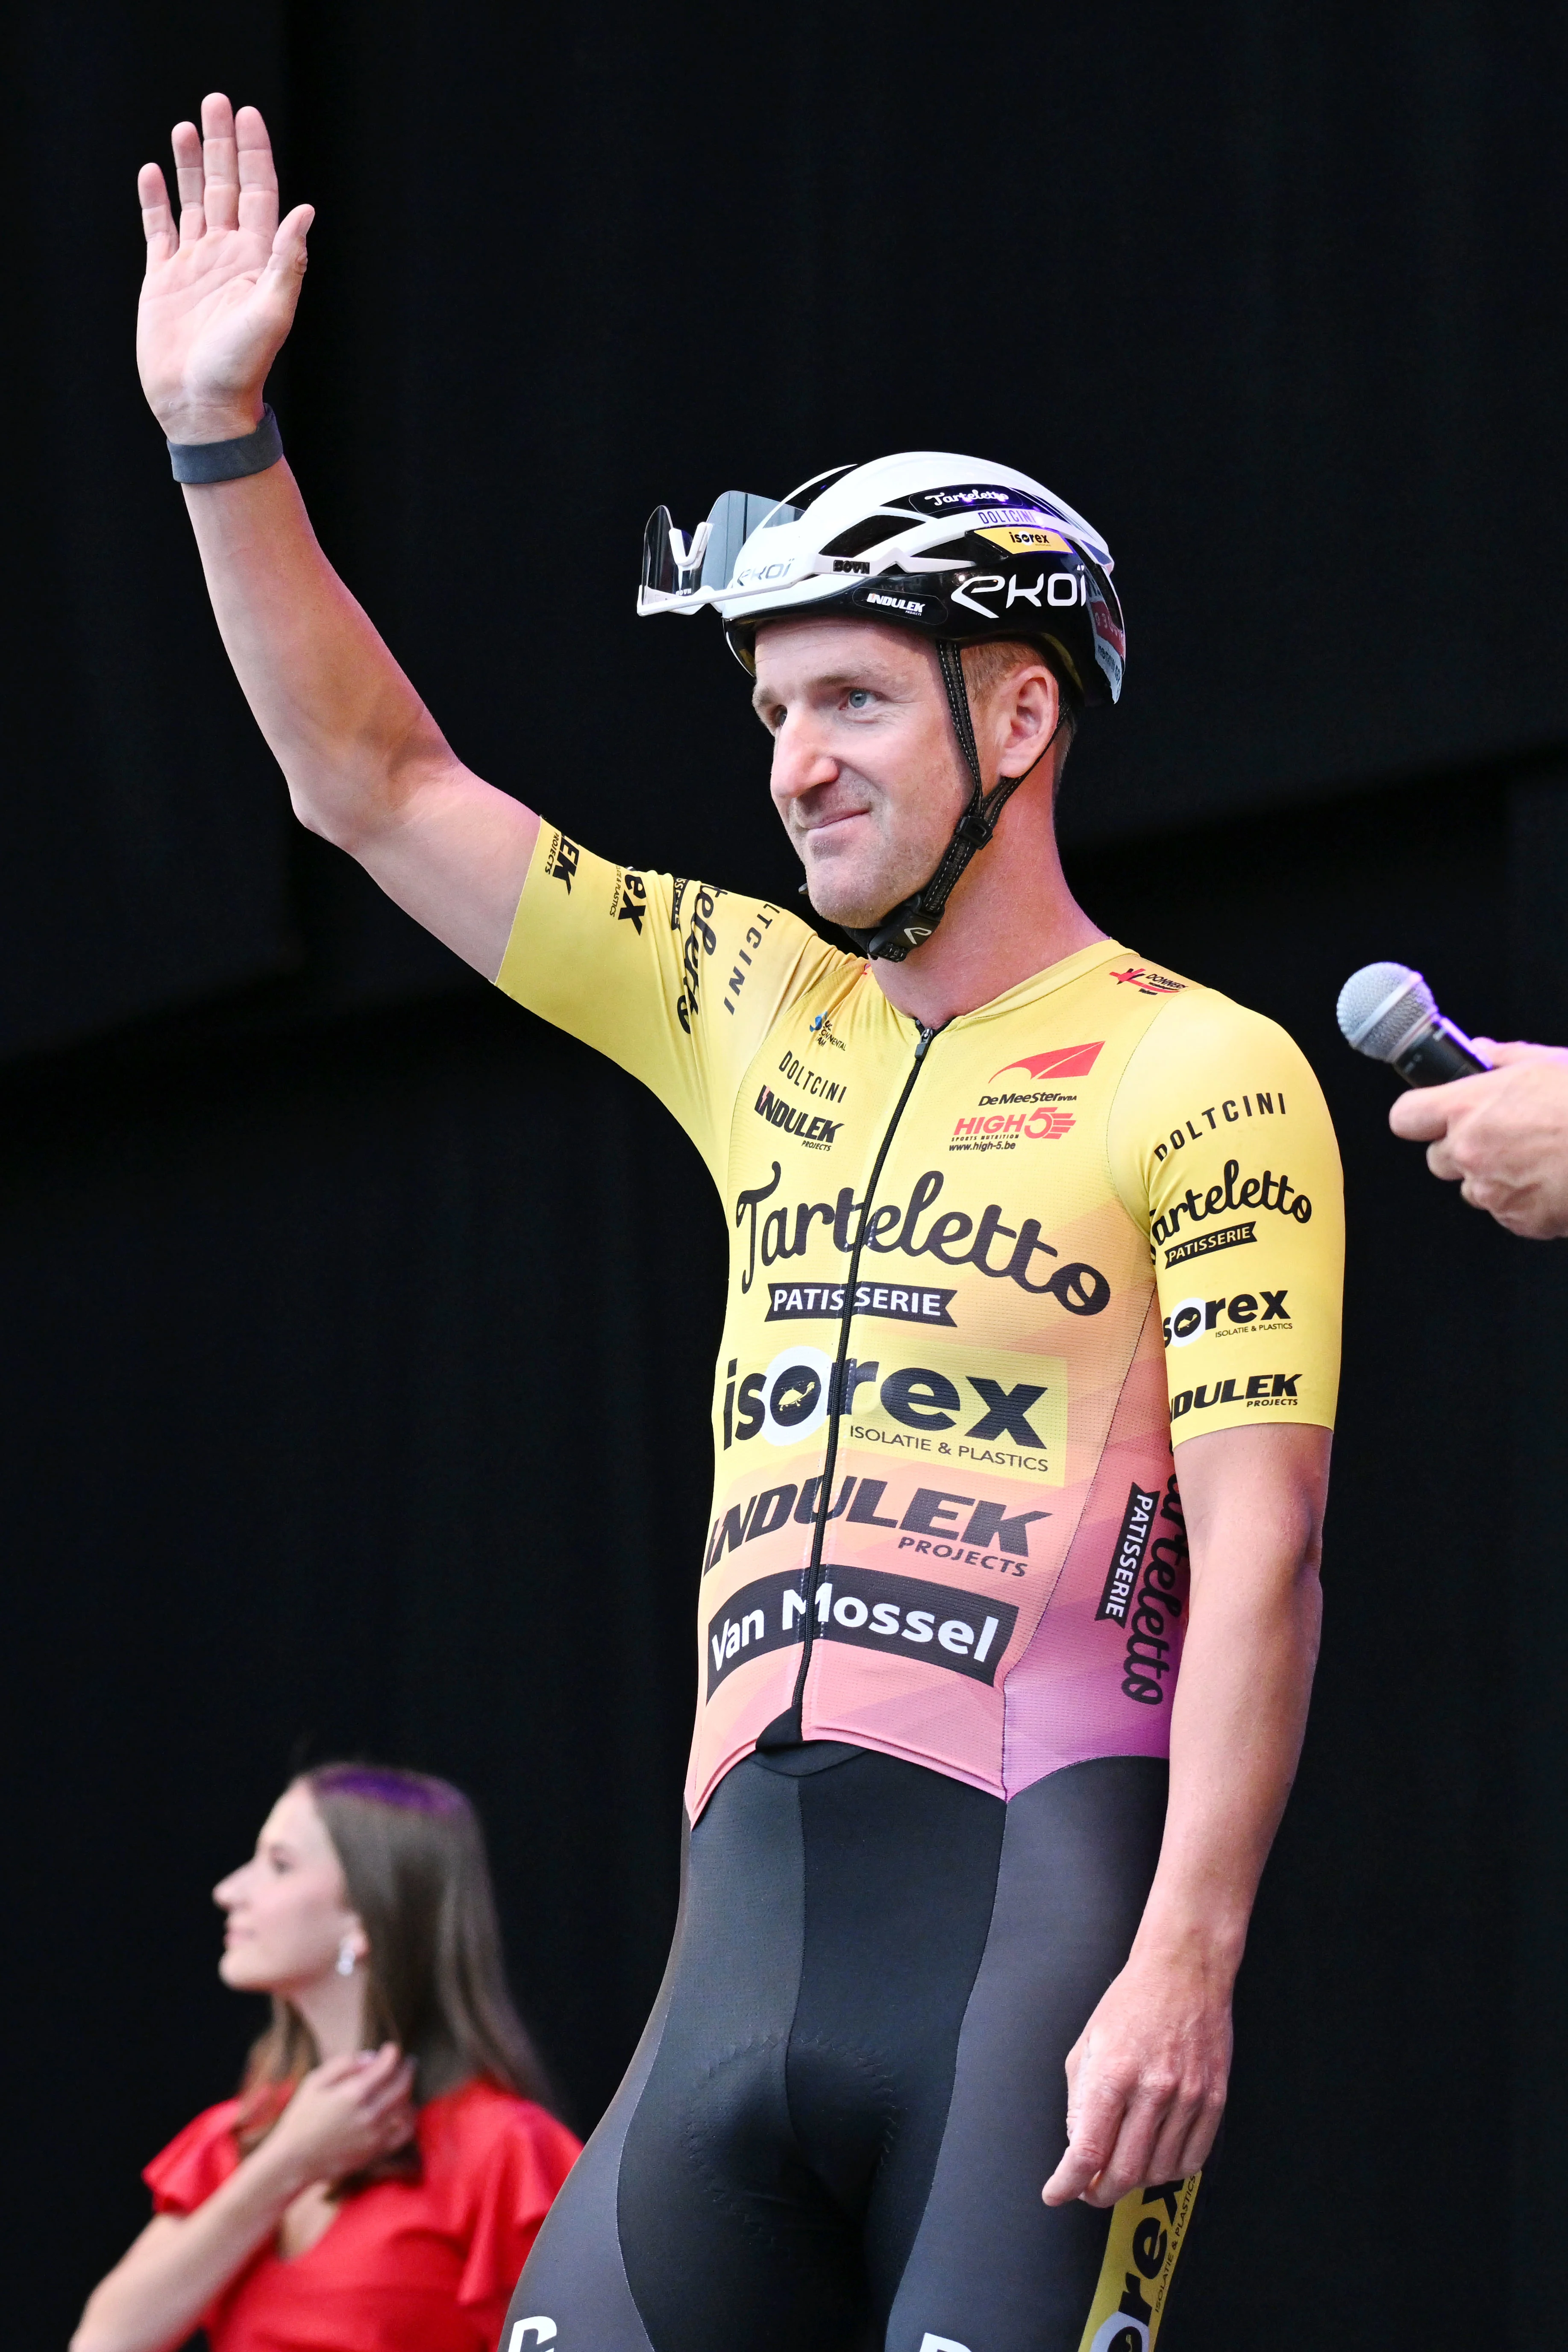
[(1226, 1156)]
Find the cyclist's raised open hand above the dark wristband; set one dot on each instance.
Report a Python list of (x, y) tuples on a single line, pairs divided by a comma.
[(220, 293)]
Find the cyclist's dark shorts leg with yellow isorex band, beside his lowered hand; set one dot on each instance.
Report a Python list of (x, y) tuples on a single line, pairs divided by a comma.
[(991, 2266)]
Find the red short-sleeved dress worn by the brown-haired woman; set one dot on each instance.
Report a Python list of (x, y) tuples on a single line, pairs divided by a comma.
[(406, 2266)]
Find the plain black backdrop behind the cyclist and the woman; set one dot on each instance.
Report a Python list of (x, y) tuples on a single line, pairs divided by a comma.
[(351, 1321)]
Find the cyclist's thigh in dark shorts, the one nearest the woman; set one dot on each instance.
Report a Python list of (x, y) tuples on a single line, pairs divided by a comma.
[(692, 2221)]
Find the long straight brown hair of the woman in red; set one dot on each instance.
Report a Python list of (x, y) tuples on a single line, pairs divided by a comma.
[(415, 1871)]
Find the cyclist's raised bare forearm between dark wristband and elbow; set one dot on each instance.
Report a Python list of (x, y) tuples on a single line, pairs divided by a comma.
[(344, 723)]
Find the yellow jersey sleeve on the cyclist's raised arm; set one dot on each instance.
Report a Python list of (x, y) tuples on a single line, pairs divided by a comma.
[(678, 982)]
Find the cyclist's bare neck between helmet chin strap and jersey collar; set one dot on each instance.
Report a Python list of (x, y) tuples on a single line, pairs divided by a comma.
[(1010, 918)]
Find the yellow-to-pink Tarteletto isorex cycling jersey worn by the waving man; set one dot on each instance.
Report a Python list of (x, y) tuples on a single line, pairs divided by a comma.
[(981, 1281)]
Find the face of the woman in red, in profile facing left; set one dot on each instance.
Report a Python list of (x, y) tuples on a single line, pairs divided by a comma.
[(288, 1909)]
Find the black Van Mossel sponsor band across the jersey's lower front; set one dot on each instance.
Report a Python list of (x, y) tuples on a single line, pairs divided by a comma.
[(965, 1633)]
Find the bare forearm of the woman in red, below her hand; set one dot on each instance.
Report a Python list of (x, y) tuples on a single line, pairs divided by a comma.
[(156, 2294)]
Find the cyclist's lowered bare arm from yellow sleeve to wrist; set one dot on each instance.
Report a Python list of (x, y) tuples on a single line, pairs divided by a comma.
[(1235, 1735)]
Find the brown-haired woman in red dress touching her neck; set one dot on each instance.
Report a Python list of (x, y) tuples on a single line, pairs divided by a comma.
[(389, 2160)]
